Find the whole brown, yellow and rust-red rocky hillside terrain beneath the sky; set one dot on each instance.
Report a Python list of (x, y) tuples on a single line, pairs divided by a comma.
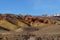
[(27, 27)]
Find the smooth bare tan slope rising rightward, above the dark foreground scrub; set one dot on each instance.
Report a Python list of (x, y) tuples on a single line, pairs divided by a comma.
[(53, 29)]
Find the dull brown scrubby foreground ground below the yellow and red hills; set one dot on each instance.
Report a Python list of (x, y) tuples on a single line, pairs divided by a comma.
[(47, 33)]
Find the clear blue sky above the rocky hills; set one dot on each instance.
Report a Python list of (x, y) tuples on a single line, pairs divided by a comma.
[(32, 7)]
